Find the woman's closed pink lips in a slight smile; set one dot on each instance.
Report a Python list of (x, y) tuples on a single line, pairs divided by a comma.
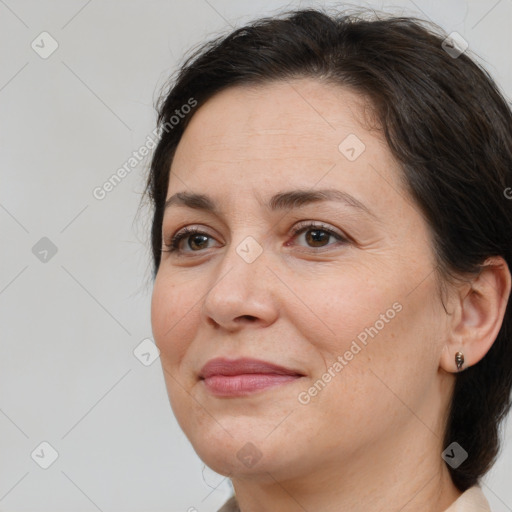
[(241, 377)]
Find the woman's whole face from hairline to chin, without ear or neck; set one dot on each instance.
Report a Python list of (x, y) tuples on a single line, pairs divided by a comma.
[(348, 308)]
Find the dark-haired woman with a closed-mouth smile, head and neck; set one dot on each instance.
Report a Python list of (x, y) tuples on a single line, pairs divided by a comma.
[(331, 241)]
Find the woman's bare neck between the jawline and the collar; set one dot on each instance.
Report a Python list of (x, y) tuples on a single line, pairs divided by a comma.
[(394, 476)]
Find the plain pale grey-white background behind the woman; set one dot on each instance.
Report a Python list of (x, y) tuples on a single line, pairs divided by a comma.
[(68, 375)]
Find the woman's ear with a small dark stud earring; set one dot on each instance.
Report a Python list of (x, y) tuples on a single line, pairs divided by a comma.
[(480, 306)]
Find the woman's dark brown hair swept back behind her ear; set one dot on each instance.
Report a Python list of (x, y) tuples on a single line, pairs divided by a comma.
[(445, 122)]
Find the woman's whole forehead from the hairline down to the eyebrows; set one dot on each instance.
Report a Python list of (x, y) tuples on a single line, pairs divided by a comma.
[(305, 133)]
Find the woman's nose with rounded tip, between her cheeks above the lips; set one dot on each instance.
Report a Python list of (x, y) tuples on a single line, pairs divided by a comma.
[(242, 290)]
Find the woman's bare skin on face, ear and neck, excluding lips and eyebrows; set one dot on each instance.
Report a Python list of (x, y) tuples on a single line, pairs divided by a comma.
[(372, 438)]
